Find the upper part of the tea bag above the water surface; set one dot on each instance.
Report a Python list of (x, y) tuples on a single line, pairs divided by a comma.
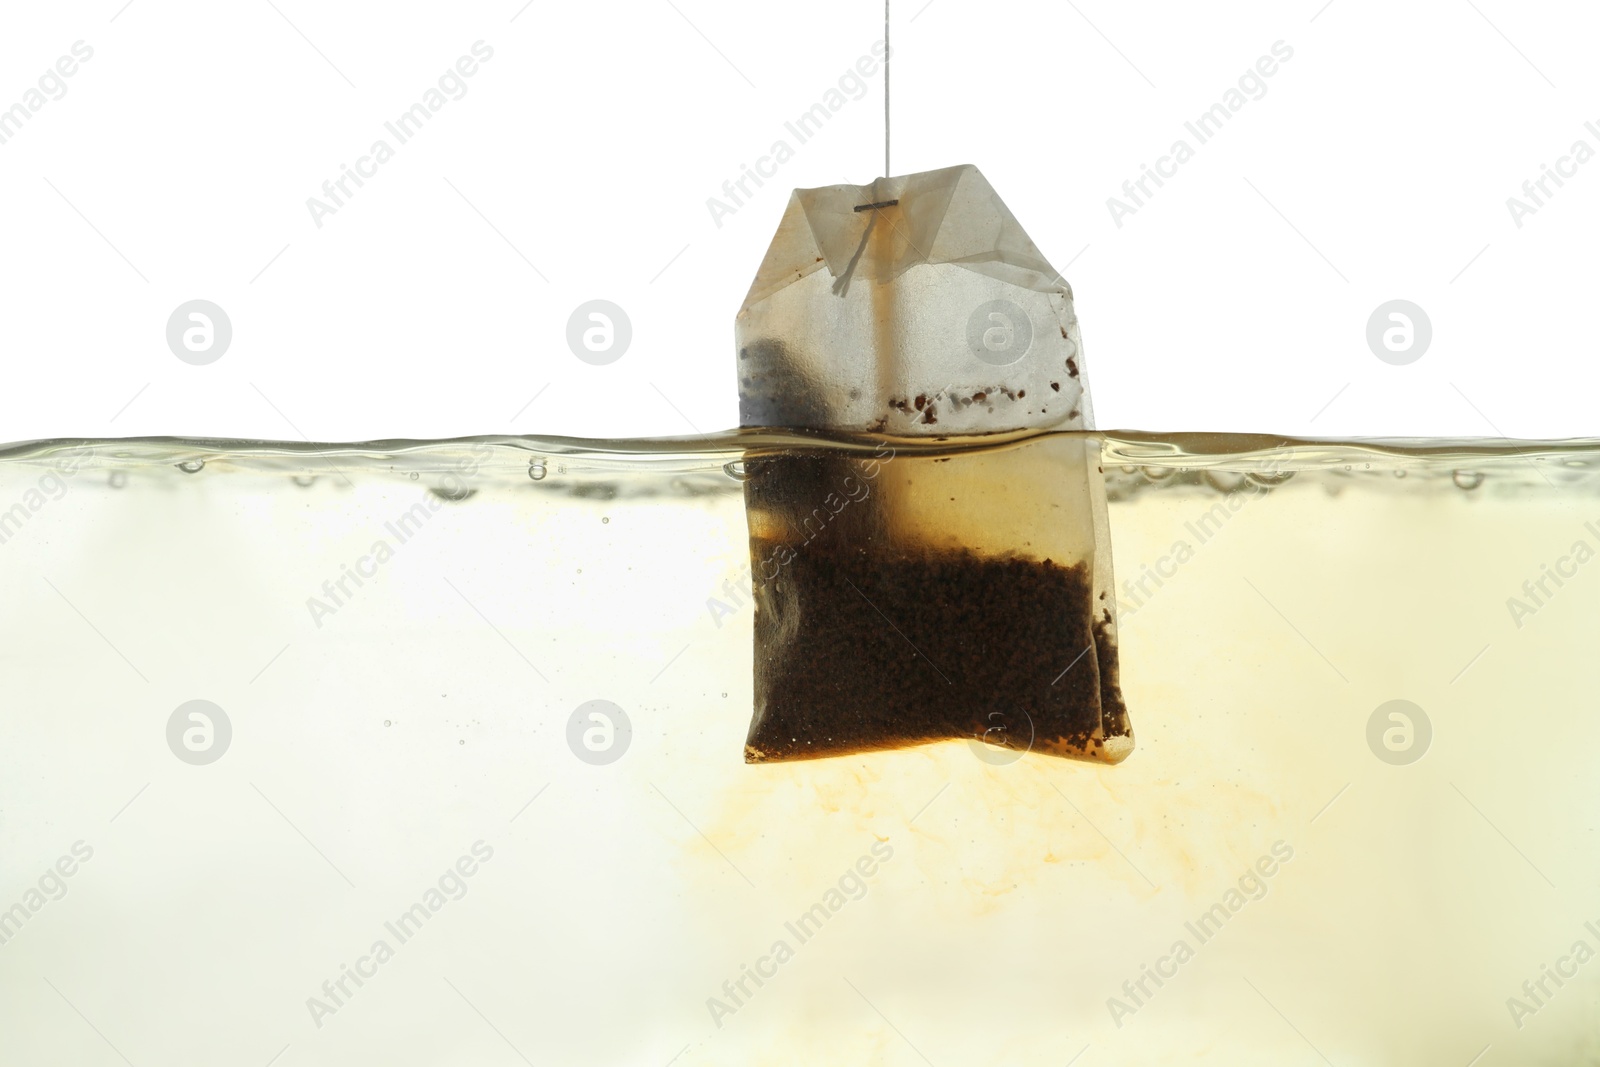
[(913, 306)]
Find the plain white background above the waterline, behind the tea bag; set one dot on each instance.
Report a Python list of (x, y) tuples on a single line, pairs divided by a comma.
[(1377, 167)]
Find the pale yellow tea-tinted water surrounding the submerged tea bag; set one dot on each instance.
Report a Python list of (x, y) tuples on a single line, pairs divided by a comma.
[(468, 783)]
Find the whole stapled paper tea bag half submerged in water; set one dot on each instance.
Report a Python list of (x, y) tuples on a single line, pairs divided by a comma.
[(945, 570)]
